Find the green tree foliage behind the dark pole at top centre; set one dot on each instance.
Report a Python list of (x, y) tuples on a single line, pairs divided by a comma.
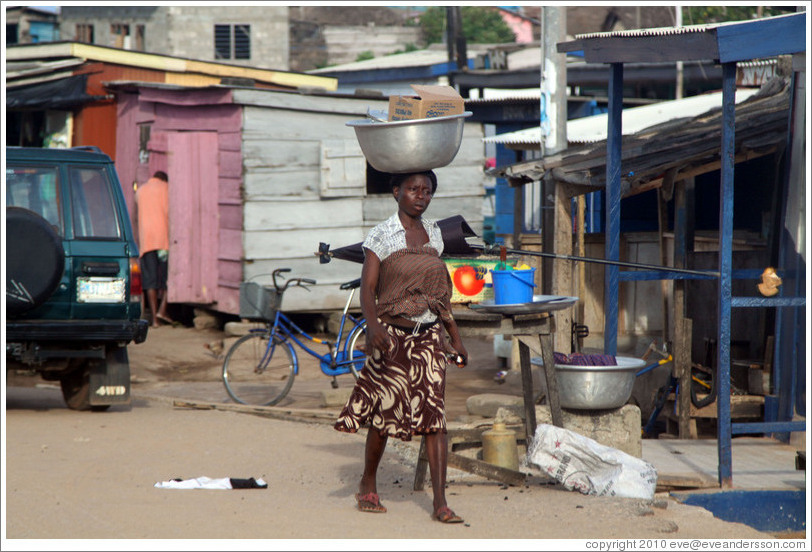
[(480, 25)]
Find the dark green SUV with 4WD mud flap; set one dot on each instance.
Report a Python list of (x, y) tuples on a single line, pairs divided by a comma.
[(73, 285)]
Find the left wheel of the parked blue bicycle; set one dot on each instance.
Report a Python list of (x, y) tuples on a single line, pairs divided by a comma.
[(256, 374)]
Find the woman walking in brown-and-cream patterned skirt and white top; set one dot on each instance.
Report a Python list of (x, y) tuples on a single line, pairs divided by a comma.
[(405, 294)]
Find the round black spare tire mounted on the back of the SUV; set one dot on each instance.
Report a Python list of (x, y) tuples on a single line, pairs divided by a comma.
[(31, 279)]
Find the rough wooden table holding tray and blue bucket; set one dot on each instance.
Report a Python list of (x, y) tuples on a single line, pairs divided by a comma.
[(534, 331)]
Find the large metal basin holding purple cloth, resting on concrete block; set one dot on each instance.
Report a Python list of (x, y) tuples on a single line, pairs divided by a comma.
[(595, 387)]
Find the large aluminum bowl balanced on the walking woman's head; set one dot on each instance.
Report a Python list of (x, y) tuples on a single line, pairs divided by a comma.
[(412, 145)]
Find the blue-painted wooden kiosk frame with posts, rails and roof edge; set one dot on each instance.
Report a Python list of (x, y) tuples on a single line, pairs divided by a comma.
[(726, 44)]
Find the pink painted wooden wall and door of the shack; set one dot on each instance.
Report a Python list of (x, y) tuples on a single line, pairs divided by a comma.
[(195, 137)]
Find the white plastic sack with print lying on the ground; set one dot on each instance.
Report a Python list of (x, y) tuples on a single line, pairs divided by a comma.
[(582, 464)]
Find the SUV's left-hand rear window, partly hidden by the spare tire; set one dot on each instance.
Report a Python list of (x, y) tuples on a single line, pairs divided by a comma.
[(35, 189)]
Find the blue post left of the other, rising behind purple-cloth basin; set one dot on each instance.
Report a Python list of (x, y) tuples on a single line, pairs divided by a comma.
[(612, 236)]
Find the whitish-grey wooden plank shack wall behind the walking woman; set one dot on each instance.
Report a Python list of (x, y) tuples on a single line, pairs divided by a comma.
[(297, 195)]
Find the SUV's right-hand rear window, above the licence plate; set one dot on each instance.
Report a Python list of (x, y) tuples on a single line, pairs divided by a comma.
[(94, 212)]
